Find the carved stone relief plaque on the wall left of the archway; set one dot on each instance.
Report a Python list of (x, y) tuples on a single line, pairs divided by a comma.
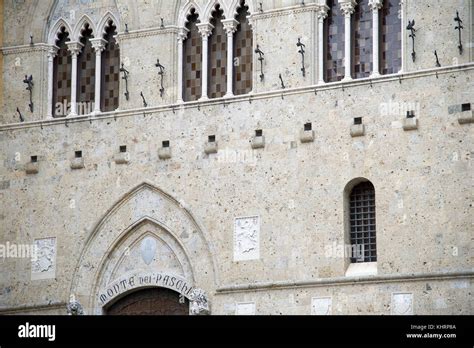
[(43, 265)]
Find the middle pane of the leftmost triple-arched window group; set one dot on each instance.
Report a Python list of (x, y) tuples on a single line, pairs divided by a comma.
[(86, 73)]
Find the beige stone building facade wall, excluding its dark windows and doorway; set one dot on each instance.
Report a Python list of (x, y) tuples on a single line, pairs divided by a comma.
[(259, 230)]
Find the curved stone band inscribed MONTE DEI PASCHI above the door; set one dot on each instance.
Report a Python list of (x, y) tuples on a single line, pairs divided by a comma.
[(151, 279)]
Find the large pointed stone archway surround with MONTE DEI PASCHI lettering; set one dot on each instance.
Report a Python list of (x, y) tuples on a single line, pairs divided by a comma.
[(147, 239)]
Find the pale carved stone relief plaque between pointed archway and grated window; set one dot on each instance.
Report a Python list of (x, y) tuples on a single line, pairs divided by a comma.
[(247, 238)]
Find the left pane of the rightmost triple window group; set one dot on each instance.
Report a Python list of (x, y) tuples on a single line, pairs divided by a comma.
[(334, 43)]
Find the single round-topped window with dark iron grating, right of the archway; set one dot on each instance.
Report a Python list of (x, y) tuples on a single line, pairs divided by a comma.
[(362, 222)]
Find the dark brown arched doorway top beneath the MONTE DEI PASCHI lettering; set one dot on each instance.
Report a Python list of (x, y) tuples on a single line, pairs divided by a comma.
[(152, 301)]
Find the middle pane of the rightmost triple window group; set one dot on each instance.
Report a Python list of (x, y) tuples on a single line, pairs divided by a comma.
[(362, 63)]
